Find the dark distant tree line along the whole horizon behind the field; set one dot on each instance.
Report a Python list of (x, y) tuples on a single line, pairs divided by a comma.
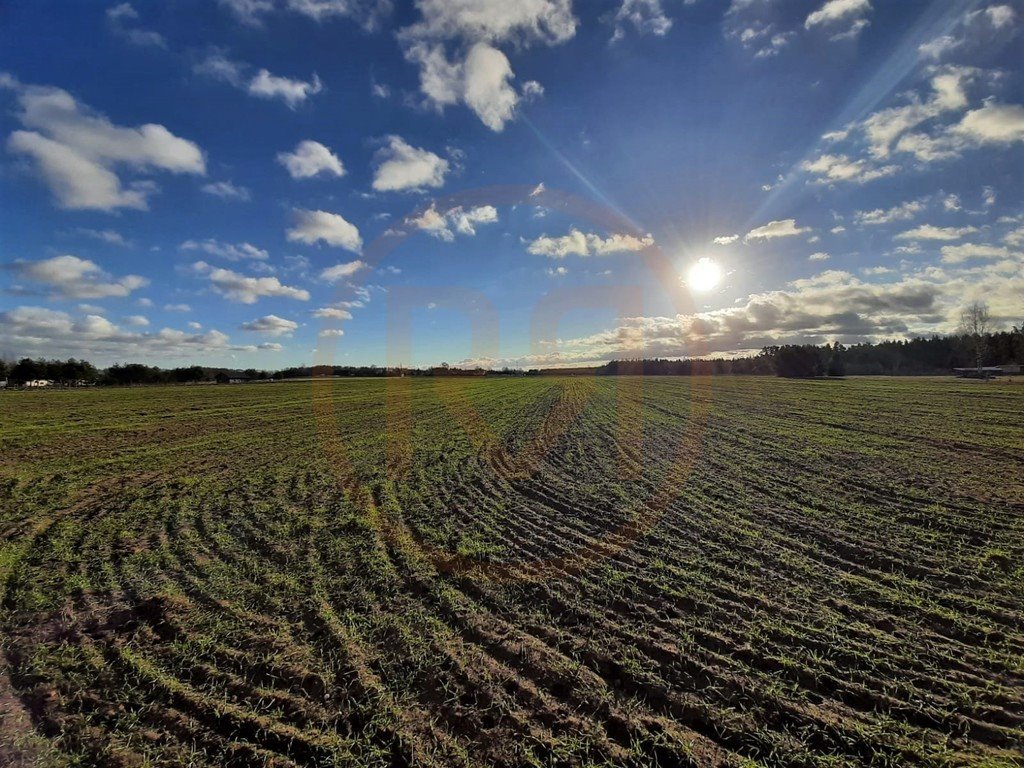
[(936, 355)]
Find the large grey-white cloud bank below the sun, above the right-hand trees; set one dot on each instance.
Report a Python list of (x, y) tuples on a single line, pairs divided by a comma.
[(834, 306)]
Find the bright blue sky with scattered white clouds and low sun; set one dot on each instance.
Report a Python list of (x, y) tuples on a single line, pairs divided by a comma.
[(270, 183)]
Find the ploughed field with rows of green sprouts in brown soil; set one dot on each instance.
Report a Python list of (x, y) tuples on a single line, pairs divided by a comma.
[(542, 572)]
